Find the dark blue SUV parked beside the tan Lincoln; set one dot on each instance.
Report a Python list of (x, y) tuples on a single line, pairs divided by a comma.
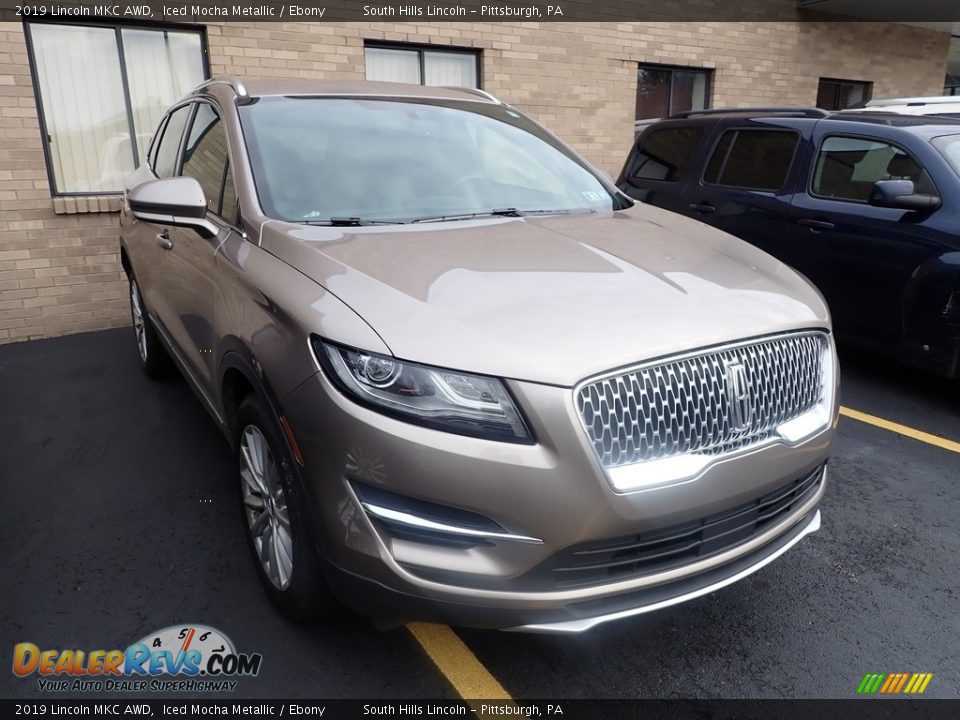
[(866, 205)]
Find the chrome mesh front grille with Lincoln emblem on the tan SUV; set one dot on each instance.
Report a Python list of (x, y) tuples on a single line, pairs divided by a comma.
[(687, 405)]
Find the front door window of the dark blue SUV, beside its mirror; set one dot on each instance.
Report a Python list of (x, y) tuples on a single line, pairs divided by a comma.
[(847, 168)]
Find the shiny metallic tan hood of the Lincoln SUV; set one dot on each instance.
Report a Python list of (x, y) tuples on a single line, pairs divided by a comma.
[(551, 299)]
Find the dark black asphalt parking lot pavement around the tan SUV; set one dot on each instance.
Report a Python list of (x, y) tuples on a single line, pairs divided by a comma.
[(118, 516)]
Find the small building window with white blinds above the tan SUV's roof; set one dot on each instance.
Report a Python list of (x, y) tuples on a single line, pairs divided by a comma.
[(422, 65)]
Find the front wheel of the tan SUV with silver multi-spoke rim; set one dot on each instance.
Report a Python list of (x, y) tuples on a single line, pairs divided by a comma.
[(278, 532)]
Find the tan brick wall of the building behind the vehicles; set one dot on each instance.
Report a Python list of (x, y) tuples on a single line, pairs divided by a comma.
[(59, 271)]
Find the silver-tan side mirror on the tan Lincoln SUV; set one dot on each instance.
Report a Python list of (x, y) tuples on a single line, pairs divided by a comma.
[(176, 201)]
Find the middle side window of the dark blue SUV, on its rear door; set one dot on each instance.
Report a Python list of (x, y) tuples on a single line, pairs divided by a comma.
[(752, 159)]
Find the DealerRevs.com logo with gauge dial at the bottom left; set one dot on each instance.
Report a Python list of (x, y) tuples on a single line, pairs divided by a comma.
[(187, 658)]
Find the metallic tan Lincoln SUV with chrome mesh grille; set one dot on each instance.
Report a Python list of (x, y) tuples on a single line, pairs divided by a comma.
[(465, 378)]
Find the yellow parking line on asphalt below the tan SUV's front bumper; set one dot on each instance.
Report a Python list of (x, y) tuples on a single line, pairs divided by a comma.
[(457, 663)]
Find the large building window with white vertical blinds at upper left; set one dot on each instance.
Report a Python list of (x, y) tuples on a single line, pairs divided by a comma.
[(101, 92)]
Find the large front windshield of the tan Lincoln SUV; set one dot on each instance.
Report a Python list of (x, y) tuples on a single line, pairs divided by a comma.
[(352, 159)]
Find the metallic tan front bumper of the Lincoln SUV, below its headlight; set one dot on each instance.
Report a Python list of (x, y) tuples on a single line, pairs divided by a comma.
[(553, 491)]
